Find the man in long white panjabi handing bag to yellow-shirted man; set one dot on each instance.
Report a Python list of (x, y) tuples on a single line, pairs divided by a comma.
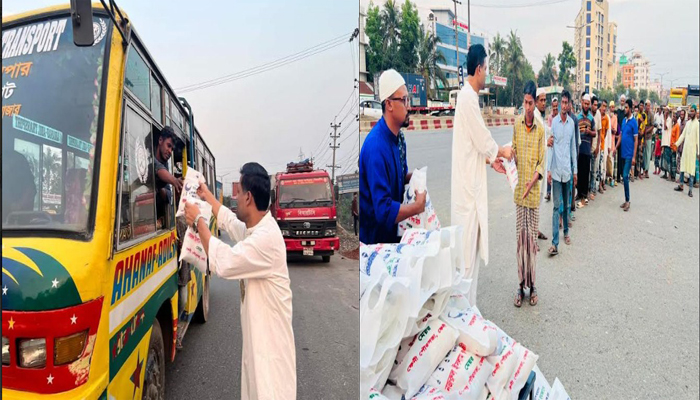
[(473, 148)]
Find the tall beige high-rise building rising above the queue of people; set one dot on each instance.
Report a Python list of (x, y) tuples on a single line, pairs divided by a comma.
[(595, 44)]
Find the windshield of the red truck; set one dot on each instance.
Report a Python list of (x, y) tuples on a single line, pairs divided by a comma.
[(305, 192)]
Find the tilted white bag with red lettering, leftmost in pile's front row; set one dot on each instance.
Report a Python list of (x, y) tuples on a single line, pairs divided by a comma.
[(423, 357)]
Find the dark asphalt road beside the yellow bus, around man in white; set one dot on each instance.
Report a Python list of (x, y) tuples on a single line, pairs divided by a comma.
[(326, 332)]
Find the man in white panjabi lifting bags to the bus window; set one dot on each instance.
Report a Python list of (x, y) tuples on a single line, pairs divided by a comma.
[(259, 261)]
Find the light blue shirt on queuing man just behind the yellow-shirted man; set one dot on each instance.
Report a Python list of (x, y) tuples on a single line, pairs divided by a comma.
[(563, 151)]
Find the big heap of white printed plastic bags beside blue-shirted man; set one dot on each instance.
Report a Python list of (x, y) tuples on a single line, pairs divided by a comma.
[(419, 336)]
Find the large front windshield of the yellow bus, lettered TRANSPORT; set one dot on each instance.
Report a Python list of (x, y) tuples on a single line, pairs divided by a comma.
[(50, 104)]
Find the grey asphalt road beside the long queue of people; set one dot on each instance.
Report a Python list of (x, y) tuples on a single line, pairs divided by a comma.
[(618, 309)]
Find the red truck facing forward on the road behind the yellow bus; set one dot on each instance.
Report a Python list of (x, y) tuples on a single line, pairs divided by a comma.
[(303, 203)]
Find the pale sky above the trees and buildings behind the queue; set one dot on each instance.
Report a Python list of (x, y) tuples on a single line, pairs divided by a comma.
[(666, 32)]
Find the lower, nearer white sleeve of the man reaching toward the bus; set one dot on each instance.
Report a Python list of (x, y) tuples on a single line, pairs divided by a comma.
[(249, 258)]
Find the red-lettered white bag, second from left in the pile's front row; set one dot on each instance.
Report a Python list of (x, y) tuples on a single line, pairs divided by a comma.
[(461, 374)]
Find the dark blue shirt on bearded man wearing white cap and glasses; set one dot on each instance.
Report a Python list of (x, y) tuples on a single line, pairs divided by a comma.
[(382, 175)]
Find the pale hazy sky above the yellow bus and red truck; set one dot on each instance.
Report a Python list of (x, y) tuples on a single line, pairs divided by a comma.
[(267, 117)]
